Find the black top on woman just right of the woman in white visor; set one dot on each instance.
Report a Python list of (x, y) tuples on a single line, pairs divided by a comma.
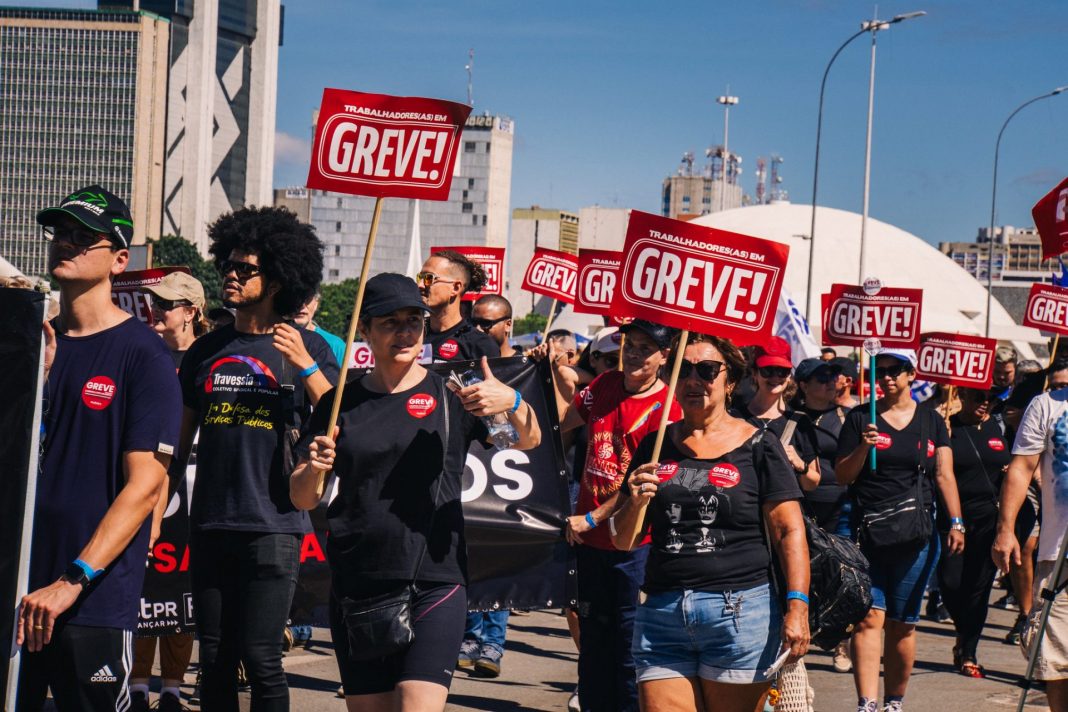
[(980, 455)]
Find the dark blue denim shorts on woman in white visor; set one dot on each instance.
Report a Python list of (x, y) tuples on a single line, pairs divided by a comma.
[(900, 578)]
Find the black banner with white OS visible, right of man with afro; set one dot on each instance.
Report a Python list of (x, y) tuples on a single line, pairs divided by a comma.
[(514, 508)]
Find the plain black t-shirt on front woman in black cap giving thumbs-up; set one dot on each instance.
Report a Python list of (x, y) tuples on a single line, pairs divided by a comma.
[(389, 464)]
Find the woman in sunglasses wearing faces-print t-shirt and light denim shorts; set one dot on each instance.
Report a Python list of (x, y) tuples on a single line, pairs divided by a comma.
[(712, 631)]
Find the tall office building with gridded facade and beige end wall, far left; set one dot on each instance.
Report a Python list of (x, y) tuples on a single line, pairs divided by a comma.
[(83, 101)]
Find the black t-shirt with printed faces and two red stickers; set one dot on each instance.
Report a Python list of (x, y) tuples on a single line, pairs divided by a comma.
[(705, 518)]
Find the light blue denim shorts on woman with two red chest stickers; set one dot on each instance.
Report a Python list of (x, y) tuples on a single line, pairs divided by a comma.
[(724, 637)]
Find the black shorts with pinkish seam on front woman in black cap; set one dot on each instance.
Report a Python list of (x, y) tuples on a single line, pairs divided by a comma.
[(439, 614)]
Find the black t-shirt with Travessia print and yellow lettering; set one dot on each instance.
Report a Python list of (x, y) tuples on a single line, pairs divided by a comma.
[(234, 383)]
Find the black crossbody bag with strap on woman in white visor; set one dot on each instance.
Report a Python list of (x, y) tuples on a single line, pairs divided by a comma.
[(903, 521)]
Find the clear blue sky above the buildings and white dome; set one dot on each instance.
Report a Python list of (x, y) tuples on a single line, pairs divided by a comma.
[(607, 96)]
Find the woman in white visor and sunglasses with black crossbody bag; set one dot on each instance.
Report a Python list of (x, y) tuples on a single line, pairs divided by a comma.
[(897, 536)]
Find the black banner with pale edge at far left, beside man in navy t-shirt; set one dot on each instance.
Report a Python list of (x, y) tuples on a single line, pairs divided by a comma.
[(22, 314)]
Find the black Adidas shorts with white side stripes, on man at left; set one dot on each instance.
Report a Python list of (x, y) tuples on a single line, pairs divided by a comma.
[(87, 669)]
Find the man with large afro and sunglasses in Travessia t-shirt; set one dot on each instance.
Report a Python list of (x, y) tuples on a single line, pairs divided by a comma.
[(246, 387)]
